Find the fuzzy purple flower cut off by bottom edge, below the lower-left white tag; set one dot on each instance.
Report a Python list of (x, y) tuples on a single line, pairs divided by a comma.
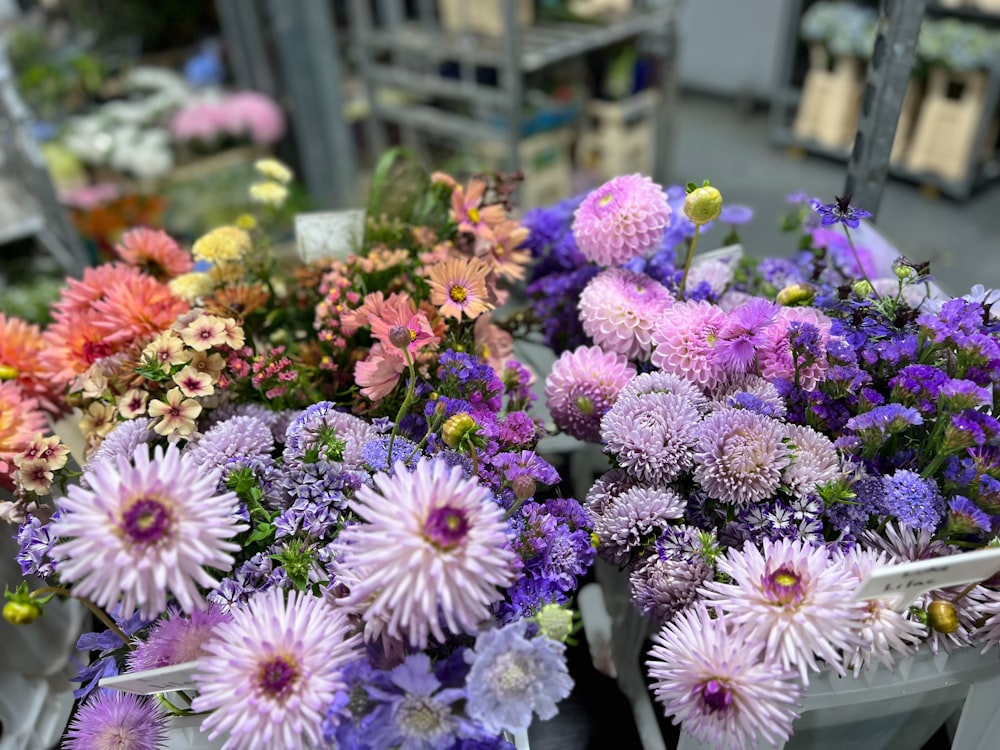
[(110, 720)]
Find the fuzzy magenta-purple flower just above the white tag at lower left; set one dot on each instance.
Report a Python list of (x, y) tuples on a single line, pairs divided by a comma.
[(175, 639)]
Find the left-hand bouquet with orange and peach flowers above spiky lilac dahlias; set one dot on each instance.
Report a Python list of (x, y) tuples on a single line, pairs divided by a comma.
[(317, 490)]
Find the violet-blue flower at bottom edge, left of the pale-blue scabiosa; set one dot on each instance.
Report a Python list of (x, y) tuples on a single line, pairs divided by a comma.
[(420, 712)]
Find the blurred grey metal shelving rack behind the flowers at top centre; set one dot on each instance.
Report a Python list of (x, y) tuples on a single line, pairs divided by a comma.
[(394, 50)]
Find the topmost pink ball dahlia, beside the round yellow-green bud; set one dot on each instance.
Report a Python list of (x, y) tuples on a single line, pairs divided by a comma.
[(624, 218)]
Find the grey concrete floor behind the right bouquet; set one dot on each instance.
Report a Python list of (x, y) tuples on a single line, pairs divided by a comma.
[(723, 142)]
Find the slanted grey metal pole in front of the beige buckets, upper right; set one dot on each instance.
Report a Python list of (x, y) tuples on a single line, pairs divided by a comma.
[(888, 77)]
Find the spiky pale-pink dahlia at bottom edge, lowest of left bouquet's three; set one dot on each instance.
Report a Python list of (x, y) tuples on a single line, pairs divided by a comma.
[(270, 674)]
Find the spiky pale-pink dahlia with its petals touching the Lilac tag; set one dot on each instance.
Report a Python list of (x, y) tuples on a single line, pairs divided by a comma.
[(795, 598)]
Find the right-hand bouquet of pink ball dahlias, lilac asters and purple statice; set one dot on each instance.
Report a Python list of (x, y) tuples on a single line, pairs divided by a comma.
[(776, 431)]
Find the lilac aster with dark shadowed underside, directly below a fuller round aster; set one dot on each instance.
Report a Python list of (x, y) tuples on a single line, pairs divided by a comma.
[(632, 518)]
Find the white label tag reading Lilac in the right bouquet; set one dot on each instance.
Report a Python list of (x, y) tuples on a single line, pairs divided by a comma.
[(906, 582)]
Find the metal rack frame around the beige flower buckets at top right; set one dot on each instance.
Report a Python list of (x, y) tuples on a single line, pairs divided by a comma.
[(787, 96)]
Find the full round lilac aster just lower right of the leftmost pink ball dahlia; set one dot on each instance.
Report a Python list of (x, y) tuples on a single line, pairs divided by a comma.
[(653, 437)]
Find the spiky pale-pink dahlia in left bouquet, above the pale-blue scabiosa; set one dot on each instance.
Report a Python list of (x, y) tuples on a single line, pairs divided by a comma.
[(436, 548)]
